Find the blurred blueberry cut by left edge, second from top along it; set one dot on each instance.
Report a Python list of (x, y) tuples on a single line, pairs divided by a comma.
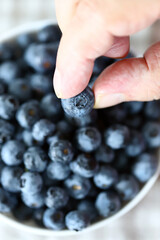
[(9, 70)]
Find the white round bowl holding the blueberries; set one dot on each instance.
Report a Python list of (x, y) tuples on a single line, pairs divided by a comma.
[(29, 229)]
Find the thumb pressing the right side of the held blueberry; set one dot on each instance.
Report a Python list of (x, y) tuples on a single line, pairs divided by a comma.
[(136, 79)]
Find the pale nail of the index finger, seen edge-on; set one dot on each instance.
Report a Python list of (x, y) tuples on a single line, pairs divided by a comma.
[(57, 83)]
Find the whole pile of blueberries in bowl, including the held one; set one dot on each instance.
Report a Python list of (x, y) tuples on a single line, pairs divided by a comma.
[(67, 168)]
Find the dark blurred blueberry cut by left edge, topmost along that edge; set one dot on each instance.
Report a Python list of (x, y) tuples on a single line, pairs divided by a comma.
[(6, 51)]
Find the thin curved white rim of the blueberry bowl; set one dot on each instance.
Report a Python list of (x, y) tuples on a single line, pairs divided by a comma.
[(31, 27)]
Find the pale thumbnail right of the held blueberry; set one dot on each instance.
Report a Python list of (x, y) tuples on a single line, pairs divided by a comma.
[(102, 100)]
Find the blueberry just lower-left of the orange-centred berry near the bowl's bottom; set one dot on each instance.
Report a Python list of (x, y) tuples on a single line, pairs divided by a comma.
[(56, 198)]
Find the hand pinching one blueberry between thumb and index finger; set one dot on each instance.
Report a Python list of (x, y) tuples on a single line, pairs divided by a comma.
[(102, 27)]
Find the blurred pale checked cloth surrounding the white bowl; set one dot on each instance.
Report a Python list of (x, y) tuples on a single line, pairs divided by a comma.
[(143, 222)]
